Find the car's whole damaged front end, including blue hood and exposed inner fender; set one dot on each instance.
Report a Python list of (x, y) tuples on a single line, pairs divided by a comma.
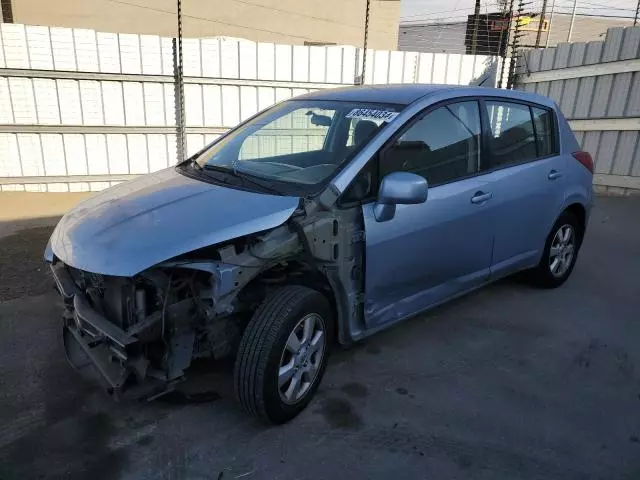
[(151, 283)]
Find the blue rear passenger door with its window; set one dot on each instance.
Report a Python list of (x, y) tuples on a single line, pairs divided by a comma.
[(527, 181)]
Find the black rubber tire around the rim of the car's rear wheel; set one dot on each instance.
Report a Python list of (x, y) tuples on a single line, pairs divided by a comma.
[(542, 275)]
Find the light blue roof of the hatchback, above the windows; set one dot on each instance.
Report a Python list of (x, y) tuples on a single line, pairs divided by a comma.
[(404, 94)]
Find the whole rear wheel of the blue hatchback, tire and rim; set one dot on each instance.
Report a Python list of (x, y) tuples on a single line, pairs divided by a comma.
[(560, 252)]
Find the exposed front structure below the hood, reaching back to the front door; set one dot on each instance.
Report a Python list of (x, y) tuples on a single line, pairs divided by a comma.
[(141, 333)]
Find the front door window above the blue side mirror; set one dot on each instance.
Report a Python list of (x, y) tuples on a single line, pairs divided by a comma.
[(442, 146)]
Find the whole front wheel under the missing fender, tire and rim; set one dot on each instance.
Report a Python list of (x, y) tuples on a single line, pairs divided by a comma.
[(283, 354)]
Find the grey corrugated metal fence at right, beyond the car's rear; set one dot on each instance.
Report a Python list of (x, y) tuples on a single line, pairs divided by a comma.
[(597, 86)]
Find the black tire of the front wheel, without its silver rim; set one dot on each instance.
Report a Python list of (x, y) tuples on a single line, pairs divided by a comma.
[(261, 350)]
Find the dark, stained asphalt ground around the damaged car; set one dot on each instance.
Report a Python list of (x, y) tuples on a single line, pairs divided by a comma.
[(509, 382)]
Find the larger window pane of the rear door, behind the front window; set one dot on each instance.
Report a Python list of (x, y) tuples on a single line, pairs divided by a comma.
[(512, 138)]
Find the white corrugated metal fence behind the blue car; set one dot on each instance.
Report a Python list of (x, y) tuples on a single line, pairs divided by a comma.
[(81, 110)]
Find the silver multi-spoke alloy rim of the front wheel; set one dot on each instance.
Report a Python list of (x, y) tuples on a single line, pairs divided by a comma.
[(301, 358)]
